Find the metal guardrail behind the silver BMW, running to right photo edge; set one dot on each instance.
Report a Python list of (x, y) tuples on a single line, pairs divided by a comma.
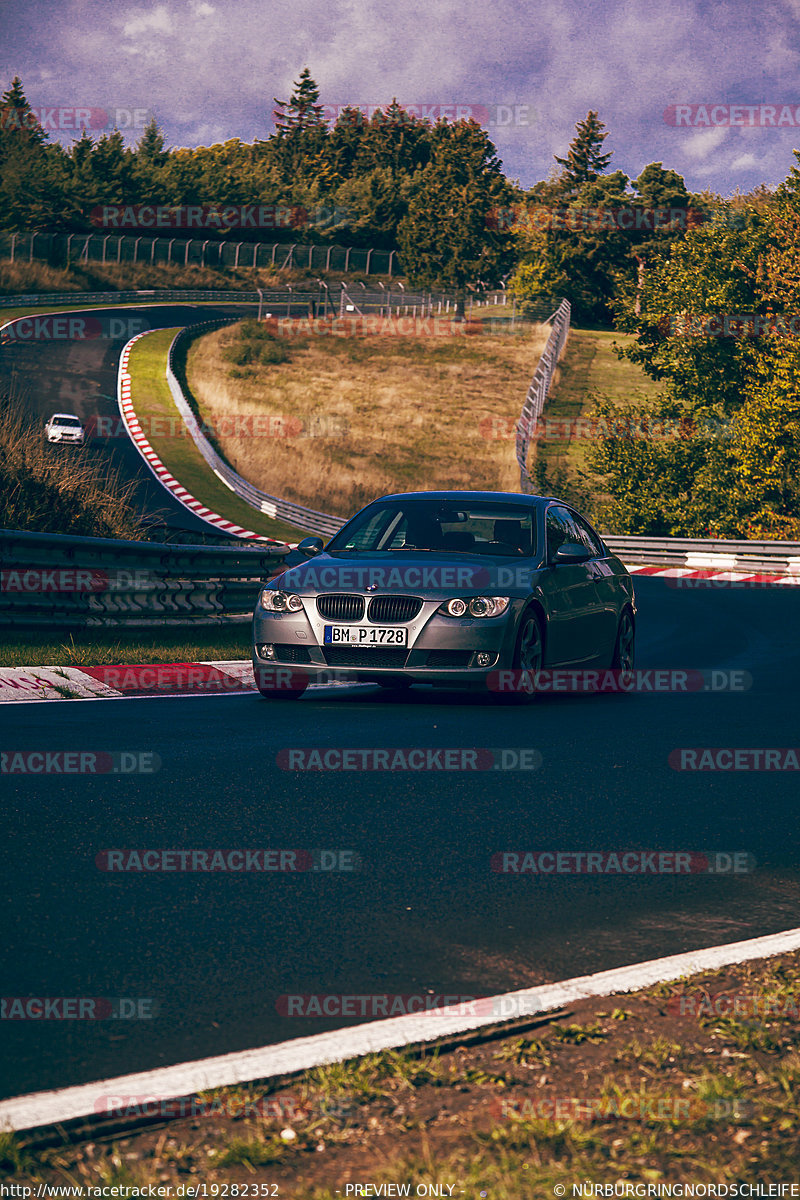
[(769, 557)]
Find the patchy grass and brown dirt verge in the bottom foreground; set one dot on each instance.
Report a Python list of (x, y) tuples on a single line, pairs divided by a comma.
[(694, 1082)]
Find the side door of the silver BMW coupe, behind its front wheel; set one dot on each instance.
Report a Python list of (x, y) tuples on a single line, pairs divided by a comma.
[(572, 595)]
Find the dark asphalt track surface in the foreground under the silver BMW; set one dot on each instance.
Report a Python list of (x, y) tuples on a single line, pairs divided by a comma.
[(426, 913)]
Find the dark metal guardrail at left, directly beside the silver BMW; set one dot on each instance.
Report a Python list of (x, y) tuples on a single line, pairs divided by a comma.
[(62, 583)]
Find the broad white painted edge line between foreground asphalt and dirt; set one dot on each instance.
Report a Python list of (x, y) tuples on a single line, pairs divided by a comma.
[(304, 1054)]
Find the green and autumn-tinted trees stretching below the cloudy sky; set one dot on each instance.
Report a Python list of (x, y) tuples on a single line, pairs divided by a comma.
[(645, 256)]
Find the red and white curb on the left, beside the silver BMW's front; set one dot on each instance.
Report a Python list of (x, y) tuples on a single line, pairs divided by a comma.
[(135, 680)]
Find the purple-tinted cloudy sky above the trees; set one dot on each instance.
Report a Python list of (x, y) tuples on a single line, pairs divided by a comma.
[(711, 91)]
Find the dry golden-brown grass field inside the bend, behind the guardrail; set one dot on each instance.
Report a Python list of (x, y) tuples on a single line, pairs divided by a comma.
[(419, 413)]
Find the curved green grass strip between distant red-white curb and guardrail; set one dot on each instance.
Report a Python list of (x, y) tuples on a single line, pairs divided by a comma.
[(164, 428)]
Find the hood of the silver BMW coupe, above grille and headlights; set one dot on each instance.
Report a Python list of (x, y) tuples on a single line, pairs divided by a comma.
[(423, 573)]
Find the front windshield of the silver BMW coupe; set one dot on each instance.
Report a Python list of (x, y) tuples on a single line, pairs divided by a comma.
[(443, 527)]
